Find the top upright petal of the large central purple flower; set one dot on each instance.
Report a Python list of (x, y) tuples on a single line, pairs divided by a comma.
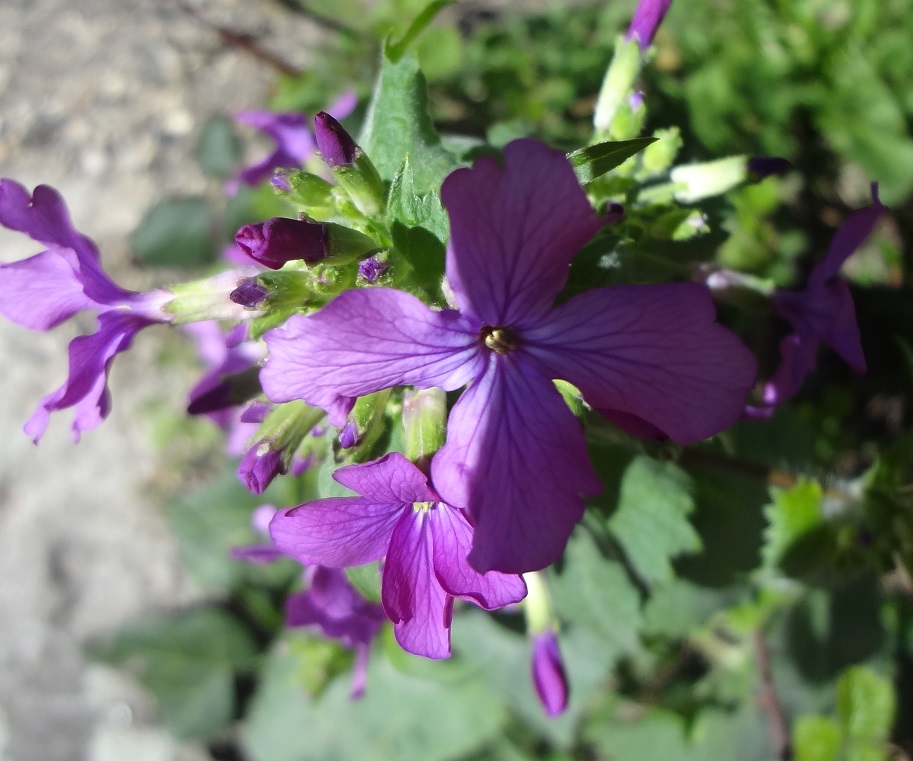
[(514, 231)]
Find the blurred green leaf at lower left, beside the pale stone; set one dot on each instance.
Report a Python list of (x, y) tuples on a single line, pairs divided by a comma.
[(188, 663)]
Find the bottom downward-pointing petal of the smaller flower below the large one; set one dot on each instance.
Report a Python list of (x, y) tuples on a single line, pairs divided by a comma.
[(413, 599)]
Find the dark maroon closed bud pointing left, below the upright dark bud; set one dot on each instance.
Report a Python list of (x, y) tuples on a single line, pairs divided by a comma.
[(280, 240)]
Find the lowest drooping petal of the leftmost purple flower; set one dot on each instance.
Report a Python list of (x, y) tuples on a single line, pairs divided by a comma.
[(86, 387)]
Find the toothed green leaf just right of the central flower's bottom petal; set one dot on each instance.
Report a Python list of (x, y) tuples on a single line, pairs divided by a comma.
[(651, 521)]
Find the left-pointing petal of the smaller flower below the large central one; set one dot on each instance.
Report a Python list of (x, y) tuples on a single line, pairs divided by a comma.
[(337, 531)]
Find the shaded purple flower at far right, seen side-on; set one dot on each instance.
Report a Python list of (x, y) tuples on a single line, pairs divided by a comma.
[(822, 313)]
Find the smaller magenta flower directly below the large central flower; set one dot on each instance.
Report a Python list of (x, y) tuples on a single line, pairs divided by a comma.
[(425, 541)]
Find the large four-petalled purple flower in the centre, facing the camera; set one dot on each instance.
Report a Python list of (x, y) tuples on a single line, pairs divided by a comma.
[(515, 458)]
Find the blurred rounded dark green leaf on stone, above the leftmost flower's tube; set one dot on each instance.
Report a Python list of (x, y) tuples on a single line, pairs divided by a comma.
[(175, 233)]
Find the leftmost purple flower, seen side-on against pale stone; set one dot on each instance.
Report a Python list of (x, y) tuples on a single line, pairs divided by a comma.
[(46, 289)]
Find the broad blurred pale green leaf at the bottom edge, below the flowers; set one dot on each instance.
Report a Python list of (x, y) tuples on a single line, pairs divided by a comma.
[(402, 717)]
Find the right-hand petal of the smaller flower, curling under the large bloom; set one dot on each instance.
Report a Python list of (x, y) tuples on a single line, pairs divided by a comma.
[(452, 542)]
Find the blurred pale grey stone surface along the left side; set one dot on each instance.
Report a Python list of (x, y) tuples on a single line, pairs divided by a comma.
[(102, 99)]
